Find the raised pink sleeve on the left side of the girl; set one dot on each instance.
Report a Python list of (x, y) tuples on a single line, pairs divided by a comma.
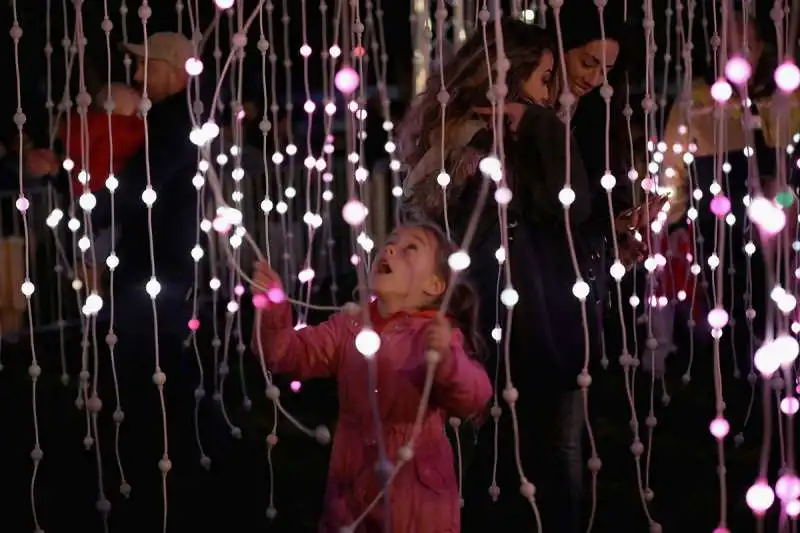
[(310, 352)]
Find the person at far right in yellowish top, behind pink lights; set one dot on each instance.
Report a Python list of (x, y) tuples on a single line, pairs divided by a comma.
[(749, 287)]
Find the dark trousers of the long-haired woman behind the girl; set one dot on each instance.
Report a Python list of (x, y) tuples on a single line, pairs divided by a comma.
[(550, 444)]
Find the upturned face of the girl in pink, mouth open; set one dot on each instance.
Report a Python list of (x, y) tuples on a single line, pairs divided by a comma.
[(403, 276)]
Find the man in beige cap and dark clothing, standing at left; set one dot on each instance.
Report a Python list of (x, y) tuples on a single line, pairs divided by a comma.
[(148, 342)]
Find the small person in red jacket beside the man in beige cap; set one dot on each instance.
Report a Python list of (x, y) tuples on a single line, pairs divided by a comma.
[(100, 146)]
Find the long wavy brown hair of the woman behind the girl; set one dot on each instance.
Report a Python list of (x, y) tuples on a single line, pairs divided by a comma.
[(466, 80)]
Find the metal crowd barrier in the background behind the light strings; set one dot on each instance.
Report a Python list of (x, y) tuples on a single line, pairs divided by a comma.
[(50, 251)]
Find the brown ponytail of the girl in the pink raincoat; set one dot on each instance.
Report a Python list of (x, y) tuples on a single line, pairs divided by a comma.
[(462, 307)]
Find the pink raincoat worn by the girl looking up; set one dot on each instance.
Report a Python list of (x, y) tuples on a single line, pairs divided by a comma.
[(424, 493)]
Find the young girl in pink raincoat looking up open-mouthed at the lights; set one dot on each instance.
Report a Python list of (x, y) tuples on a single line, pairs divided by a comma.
[(409, 279)]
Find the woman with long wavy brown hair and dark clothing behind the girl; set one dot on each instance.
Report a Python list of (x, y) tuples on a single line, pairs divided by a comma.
[(546, 352)]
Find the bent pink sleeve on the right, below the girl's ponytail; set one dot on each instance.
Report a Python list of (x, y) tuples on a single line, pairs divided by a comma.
[(461, 385)]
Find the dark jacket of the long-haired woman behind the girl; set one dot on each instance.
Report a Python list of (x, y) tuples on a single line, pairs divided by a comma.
[(547, 344)]
